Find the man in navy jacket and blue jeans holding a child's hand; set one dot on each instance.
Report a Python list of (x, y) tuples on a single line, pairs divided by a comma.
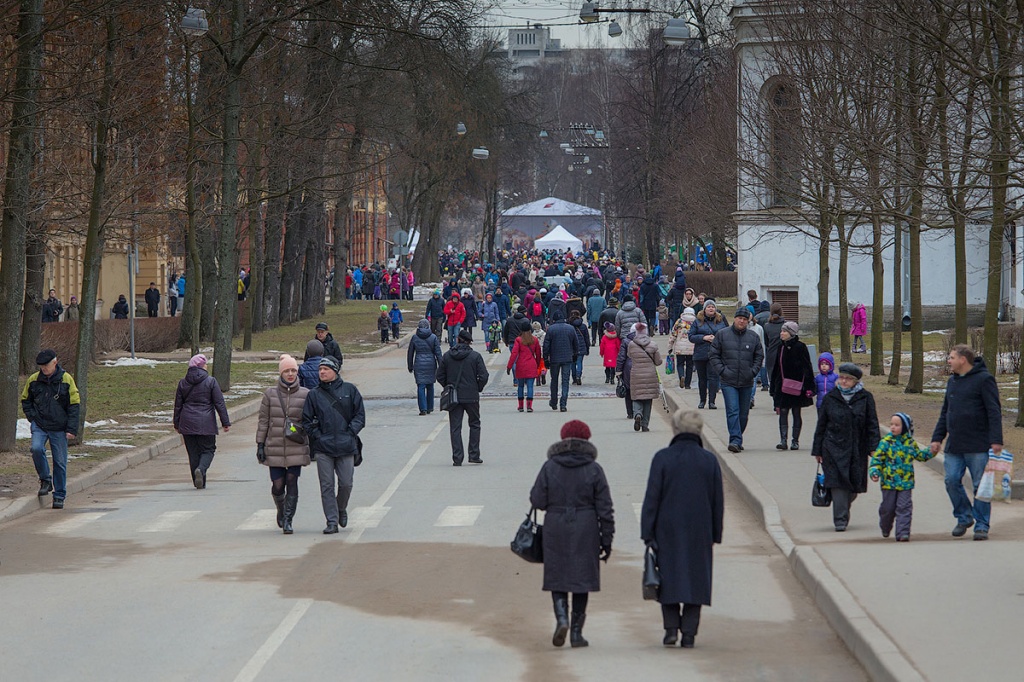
[(972, 418)]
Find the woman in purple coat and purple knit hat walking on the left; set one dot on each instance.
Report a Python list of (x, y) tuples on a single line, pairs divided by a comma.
[(198, 403)]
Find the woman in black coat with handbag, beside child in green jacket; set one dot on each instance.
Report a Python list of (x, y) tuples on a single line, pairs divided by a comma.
[(846, 437)]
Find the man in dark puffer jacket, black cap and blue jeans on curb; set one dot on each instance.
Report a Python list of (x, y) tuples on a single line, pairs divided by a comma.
[(737, 357)]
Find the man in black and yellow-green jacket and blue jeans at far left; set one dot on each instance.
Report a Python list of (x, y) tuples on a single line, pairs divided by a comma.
[(51, 404)]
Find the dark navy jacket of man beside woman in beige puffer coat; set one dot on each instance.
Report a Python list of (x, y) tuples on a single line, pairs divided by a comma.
[(333, 433)]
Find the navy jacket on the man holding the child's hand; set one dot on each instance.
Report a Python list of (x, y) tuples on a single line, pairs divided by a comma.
[(971, 414)]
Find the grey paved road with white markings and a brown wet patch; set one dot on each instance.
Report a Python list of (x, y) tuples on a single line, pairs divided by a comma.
[(145, 577)]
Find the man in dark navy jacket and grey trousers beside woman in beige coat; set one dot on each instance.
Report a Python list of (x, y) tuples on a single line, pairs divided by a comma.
[(332, 417)]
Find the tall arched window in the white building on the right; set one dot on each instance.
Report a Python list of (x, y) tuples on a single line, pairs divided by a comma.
[(784, 154)]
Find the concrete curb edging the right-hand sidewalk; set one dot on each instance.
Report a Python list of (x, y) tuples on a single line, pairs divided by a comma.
[(869, 644)]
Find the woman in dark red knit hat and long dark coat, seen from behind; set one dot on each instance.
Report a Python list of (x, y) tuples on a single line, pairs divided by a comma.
[(579, 526)]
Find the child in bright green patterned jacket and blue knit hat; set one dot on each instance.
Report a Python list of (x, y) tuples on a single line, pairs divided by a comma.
[(892, 463)]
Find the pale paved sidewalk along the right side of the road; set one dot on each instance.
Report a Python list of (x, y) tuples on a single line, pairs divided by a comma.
[(935, 609)]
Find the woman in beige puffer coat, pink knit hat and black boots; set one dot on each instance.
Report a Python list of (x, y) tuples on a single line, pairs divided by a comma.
[(281, 444)]
